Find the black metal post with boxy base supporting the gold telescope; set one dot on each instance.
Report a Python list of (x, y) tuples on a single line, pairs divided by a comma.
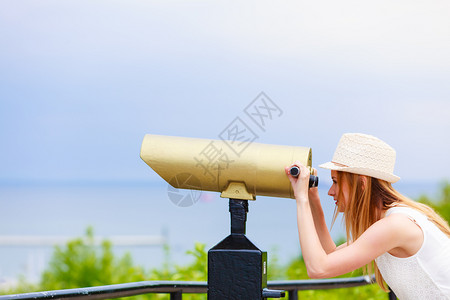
[(237, 269)]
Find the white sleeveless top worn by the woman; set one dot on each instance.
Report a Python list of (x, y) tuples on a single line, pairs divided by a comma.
[(424, 275)]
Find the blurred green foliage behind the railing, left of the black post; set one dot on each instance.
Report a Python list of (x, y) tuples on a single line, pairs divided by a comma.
[(81, 263)]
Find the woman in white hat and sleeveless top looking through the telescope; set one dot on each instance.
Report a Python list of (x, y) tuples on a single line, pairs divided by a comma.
[(403, 242)]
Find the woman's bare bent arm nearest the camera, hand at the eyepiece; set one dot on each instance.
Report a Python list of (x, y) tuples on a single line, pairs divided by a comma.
[(376, 240)]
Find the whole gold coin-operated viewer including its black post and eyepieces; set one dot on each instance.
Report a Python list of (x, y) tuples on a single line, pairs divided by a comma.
[(237, 269)]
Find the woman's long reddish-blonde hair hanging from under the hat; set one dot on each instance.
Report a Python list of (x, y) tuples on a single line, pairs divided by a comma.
[(366, 204)]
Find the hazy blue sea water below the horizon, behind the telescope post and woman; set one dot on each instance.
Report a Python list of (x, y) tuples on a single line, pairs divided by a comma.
[(145, 209)]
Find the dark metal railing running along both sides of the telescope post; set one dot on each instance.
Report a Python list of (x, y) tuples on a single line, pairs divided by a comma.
[(177, 288)]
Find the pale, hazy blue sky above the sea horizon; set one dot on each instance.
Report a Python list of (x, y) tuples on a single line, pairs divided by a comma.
[(82, 82)]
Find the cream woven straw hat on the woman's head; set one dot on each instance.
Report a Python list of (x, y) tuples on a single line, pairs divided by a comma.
[(364, 154)]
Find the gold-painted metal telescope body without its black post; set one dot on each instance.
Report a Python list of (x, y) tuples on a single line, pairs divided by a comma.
[(213, 165)]
